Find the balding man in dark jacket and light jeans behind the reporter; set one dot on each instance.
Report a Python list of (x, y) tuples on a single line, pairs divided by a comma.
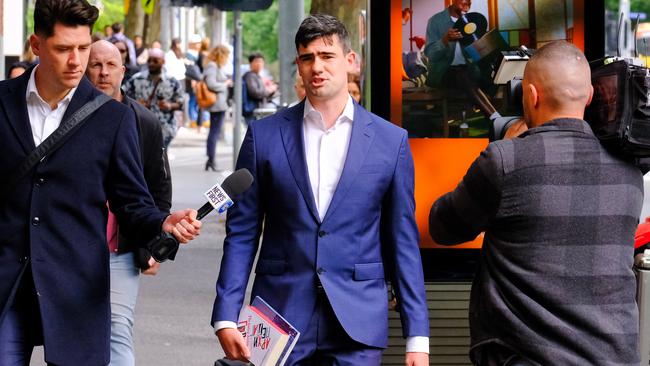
[(106, 71)]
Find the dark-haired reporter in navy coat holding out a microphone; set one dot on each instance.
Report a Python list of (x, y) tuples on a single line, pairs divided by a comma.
[(54, 272)]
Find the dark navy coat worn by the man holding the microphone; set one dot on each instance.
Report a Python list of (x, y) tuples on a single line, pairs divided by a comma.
[(66, 245)]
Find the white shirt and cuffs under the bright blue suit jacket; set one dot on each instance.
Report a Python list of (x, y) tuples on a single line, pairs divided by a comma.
[(325, 153)]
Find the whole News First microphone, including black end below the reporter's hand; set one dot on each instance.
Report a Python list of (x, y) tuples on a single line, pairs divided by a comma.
[(164, 246)]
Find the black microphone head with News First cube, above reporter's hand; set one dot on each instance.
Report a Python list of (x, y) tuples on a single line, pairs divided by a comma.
[(220, 196)]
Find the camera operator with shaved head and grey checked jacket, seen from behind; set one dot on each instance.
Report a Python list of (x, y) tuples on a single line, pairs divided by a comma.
[(555, 285)]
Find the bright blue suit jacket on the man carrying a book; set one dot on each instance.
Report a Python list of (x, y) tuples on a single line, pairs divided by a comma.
[(367, 236)]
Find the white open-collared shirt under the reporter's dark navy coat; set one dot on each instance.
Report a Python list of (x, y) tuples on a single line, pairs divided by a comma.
[(43, 119)]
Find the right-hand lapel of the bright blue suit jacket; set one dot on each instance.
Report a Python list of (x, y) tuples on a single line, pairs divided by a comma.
[(360, 141)]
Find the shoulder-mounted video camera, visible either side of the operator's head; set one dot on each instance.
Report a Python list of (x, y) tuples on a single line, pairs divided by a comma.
[(619, 113)]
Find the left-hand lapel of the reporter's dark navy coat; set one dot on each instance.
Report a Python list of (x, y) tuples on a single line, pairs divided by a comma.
[(15, 107)]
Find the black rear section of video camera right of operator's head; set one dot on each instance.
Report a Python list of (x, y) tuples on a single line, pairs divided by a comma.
[(619, 113)]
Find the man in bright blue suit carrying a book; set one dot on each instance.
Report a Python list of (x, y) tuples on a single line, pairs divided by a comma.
[(333, 196)]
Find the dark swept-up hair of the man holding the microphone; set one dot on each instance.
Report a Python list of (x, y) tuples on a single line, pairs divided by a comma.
[(67, 12)]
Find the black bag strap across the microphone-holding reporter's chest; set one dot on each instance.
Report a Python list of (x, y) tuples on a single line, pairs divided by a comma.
[(52, 142)]
